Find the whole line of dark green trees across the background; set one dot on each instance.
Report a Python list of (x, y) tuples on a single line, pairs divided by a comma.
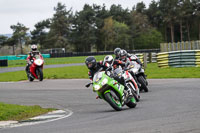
[(95, 28)]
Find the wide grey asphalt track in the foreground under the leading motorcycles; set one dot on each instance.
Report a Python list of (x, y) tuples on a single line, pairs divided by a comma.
[(171, 106)]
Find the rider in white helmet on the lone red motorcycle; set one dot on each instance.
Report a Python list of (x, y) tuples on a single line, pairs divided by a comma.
[(31, 54)]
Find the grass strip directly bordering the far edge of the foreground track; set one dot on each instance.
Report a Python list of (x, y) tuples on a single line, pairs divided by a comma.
[(152, 71)]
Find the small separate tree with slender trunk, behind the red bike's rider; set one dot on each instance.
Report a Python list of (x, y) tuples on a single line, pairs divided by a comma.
[(19, 34)]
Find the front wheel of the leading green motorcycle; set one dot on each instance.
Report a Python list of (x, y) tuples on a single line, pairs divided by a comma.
[(115, 103)]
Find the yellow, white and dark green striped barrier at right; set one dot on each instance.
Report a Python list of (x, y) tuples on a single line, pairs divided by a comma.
[(185, 58)]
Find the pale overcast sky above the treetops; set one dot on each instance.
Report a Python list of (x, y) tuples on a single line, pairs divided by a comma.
[(30, 12)]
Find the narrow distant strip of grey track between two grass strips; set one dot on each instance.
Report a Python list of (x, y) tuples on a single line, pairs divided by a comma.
[(13, 69)]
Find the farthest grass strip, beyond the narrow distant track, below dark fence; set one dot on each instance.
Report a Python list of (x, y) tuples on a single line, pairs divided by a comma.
[(51, 61)]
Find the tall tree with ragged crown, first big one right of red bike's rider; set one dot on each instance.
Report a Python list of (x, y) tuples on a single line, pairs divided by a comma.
[(60, 27)]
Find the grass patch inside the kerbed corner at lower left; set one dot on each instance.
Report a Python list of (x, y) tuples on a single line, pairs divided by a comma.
[(20, 112)]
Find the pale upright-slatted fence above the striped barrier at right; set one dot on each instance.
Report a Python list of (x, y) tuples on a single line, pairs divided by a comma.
[(188, 45)]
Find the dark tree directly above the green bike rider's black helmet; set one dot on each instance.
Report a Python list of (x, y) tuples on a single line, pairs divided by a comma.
[(84, 29)]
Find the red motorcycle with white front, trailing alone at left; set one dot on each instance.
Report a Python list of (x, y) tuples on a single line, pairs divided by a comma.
[(35, 69)]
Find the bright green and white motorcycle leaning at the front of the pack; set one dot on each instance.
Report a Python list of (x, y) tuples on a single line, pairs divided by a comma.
[(111, 91)]
